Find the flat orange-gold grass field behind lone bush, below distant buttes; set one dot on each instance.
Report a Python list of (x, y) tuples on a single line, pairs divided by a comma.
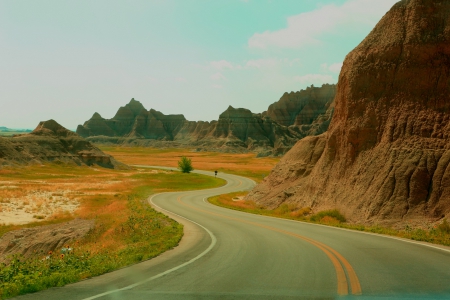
[(240, 164)]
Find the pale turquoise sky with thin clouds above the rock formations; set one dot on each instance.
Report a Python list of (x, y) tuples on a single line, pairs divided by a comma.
[(65, 60)]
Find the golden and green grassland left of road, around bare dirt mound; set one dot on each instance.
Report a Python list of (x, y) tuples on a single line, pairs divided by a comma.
[(127, 230)]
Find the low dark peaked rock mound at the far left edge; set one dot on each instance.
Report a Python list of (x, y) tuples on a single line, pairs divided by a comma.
[(52, 142)]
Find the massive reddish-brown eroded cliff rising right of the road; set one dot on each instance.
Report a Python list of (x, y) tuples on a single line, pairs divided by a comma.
[(386, 154)]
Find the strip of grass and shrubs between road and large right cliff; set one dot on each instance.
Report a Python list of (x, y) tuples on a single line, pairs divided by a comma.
[(439, 234)]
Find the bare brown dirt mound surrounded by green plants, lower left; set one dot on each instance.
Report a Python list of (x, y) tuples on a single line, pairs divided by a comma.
[(40, 240)]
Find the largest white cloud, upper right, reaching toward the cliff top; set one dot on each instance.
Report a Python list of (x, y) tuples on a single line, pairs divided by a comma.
[(307, 28)]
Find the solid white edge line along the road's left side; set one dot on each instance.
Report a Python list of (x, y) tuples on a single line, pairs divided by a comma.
[(213, 243)]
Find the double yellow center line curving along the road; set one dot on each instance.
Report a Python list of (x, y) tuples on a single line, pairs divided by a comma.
[(346, 276)]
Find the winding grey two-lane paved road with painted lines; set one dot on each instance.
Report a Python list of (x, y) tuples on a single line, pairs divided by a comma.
[(227, 254)]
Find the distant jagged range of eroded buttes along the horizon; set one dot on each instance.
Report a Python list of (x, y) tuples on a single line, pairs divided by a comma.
[(294, 116)]
